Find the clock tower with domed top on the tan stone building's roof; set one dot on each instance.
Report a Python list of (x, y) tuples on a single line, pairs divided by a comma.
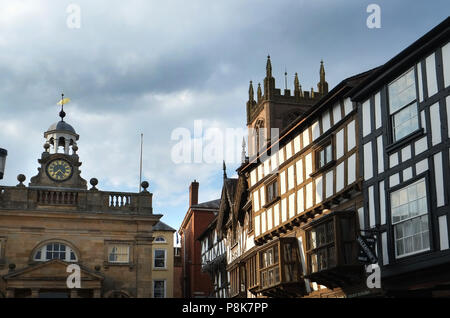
[(59, 161)]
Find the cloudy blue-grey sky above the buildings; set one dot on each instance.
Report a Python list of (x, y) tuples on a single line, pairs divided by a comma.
[(160, 67)]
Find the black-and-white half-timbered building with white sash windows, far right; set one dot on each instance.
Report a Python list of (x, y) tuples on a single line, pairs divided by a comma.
[(404, 111)]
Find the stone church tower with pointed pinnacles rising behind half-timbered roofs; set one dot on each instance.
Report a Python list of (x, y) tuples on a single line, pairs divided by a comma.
[(273, 111)]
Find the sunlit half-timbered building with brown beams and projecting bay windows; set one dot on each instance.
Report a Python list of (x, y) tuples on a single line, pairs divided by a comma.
[(304, 191)]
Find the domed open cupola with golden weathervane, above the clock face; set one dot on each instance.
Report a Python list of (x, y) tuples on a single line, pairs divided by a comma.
[(61, 134)]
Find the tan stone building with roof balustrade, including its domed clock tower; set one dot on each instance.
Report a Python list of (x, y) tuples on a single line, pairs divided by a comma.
[(56, 221)]
